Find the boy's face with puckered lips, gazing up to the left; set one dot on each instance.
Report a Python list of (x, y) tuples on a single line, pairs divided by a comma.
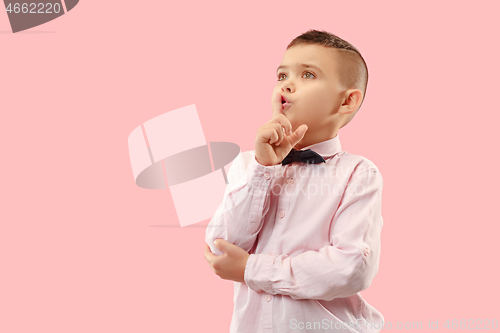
[(314, 93)]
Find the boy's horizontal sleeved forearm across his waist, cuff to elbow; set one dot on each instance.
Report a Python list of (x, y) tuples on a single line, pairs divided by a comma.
[(324, 275)]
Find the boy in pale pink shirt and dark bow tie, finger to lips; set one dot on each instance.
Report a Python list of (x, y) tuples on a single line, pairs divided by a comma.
[(299, 232)]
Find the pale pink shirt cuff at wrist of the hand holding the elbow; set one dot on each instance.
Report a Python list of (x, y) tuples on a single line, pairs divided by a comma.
[(257, 271)]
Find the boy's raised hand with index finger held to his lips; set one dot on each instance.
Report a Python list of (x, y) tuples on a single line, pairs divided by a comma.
[(275, 139)]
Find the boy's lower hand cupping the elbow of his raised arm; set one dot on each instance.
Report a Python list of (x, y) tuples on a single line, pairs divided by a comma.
[(230, 265)]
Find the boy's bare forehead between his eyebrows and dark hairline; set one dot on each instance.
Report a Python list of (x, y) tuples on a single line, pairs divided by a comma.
[(321, 56)]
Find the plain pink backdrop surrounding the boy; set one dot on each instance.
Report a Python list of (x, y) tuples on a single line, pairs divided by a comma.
[(83, 249)]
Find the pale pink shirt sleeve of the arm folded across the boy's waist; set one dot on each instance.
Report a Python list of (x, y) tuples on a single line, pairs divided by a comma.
[(340, 270)]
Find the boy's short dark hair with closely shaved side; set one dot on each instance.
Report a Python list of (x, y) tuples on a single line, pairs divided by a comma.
[(353, 72)]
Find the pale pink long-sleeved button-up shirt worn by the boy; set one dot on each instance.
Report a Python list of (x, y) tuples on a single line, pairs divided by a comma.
[(313, 234)]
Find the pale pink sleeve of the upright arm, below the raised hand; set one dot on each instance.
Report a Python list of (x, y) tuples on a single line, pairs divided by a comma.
[(240, 216)]
